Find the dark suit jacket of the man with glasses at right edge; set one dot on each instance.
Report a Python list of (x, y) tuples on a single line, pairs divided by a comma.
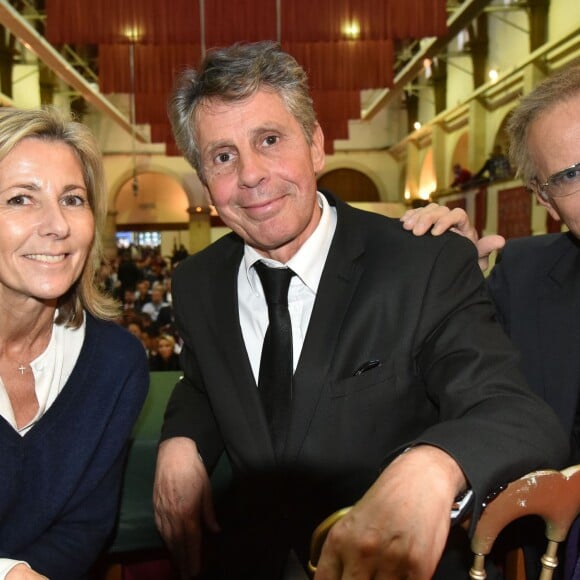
[(536, 288)]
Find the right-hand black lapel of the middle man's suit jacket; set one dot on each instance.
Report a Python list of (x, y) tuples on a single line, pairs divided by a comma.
[(337, 285)]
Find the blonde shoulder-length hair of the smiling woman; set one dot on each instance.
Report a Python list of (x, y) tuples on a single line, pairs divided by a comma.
[(51, 124)]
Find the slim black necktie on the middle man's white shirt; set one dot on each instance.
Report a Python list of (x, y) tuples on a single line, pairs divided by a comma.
[(276, 364)]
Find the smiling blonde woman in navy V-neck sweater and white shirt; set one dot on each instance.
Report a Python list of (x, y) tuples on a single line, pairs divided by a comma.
[(72, 381)]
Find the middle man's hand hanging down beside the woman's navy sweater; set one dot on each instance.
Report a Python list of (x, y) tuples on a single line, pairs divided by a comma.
[(182, 502)]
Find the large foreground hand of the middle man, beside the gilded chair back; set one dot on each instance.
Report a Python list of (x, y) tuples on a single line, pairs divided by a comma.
[(400, 526)]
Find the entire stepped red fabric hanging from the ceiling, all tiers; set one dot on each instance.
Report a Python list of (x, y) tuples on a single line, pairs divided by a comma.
[(171, 36)]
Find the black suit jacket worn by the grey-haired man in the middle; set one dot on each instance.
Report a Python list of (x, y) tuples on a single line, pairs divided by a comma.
[(448, 377)]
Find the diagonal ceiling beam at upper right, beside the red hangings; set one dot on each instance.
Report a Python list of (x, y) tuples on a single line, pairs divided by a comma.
[(458, 20)]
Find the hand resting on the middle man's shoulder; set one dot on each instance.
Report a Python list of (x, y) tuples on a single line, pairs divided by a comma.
[(439, 218)]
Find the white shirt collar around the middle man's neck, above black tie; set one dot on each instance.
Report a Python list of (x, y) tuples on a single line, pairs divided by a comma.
[(309, 261)]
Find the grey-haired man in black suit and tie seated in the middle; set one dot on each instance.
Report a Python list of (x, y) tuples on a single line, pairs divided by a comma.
[(405, 392)]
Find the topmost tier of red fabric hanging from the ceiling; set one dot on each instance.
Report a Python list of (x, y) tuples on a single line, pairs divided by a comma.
[(178, 21)]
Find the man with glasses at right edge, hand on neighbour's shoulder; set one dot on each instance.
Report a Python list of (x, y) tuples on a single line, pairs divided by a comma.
[(535, 281)]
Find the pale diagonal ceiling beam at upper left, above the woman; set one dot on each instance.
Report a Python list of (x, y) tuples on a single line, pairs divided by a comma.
[(22, 30)]
